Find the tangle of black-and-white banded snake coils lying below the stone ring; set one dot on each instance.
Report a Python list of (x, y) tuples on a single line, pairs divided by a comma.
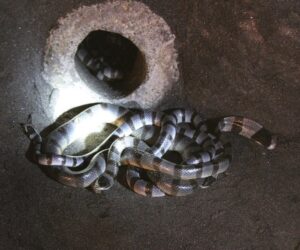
[(204, 155)]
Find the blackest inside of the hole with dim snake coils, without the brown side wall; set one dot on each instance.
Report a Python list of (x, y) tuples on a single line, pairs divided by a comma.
[(107, 56)]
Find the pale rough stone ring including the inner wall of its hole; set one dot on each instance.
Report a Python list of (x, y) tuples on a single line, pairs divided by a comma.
[(155, 74)]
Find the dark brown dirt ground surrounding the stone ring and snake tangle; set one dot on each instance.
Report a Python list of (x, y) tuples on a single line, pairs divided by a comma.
[(236, 57)]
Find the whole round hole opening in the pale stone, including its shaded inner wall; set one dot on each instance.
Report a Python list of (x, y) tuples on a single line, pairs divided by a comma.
[(110, 63)]
